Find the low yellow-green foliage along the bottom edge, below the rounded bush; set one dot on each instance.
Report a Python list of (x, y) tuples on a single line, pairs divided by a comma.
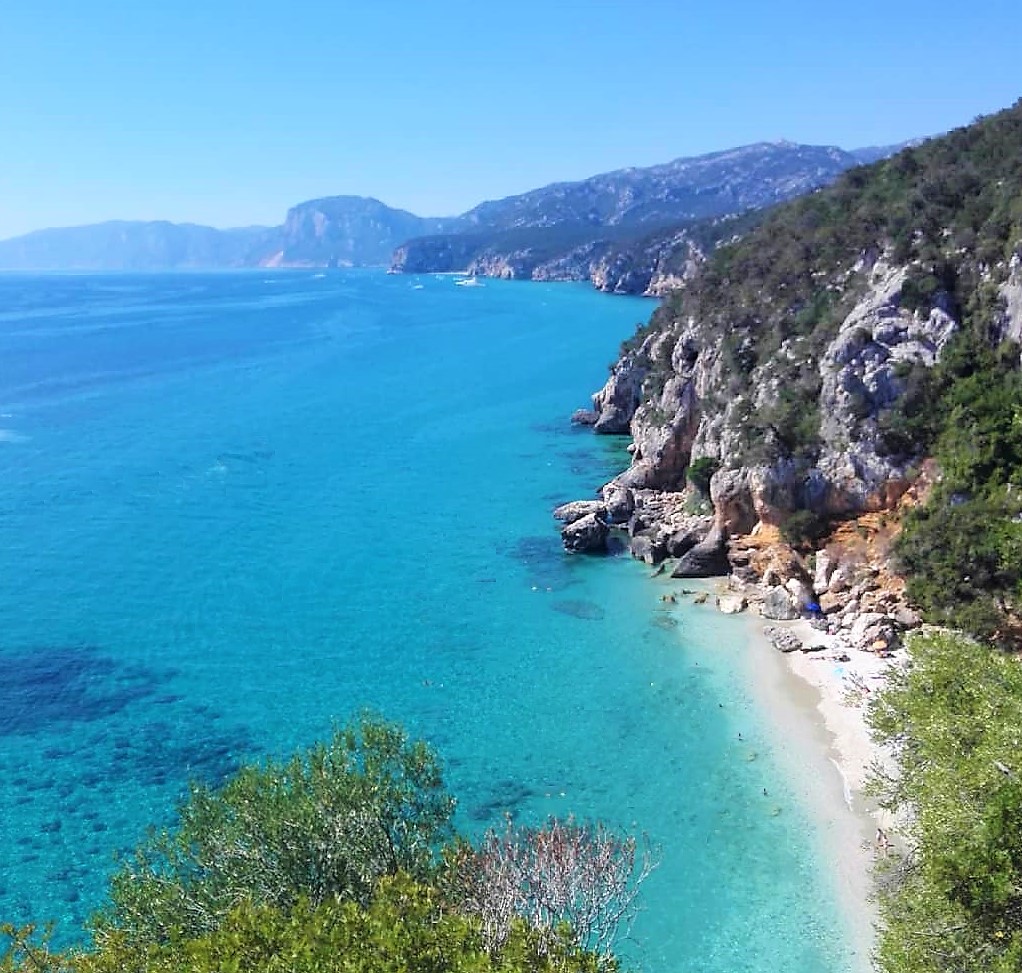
[(405, 926)]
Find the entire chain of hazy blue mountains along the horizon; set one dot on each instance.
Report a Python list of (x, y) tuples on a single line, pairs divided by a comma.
[(621, 229)]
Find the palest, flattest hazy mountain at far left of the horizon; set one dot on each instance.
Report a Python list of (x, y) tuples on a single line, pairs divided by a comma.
[(132, 246)]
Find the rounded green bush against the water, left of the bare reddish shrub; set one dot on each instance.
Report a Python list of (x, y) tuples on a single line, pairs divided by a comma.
[(330, 823)]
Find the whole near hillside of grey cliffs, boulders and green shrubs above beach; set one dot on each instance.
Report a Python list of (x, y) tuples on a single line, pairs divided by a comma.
[(857, 354)]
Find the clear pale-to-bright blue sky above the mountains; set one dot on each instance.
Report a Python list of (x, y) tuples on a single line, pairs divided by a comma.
[(226, 113)]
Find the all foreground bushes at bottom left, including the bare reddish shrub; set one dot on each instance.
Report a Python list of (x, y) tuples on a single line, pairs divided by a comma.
[(343, 860)]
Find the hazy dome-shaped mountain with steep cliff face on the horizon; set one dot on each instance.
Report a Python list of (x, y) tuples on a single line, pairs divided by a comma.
[(342, 231)]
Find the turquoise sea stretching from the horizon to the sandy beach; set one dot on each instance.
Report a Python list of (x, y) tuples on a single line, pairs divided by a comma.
[(237, 508)]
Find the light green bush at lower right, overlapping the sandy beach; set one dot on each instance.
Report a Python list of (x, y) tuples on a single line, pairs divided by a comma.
[(955, 720)]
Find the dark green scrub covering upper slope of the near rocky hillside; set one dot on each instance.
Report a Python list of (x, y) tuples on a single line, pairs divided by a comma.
[(950, 209)]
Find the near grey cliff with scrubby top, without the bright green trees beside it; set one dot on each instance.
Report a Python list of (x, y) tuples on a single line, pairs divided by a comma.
[(784, 383)]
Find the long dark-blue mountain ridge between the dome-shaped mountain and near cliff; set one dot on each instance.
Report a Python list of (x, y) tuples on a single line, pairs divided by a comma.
[(633, 230)]
